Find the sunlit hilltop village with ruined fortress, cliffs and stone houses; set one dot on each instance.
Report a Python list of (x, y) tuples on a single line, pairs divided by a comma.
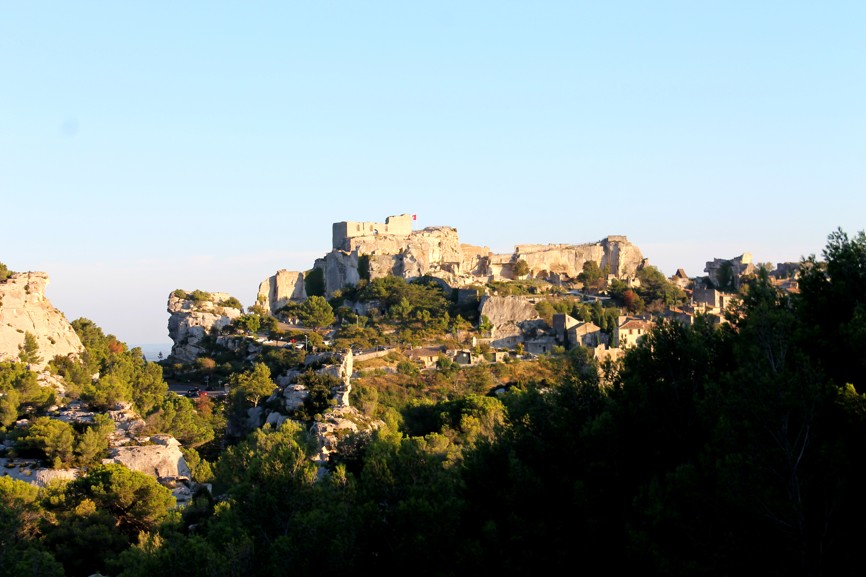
[(603, 295)]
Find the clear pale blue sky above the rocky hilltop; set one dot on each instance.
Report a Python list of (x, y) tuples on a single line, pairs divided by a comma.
[(148, 146)]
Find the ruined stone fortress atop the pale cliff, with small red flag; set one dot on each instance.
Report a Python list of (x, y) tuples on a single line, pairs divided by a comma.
[(375, 249)]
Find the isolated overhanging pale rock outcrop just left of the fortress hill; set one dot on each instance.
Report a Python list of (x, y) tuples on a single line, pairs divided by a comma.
[(191, 321)]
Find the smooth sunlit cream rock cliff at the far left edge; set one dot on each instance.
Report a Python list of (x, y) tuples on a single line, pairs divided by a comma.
[(24, 308)]
